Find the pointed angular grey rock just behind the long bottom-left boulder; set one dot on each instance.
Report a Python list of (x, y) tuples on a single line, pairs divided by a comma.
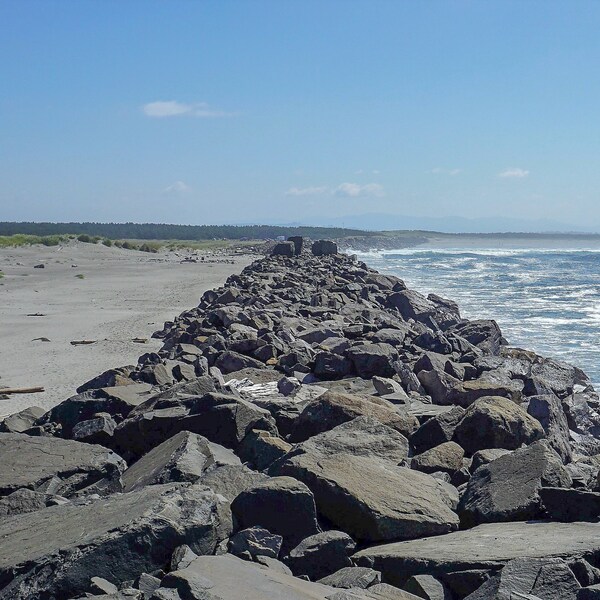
[(184, 457)]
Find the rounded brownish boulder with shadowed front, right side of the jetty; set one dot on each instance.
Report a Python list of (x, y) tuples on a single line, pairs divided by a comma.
[(495, 422)]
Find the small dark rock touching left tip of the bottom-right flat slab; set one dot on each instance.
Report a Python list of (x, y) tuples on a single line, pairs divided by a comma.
[(321, 554)]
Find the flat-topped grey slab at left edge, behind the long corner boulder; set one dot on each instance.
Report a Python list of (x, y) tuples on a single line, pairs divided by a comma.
[(55, 465)]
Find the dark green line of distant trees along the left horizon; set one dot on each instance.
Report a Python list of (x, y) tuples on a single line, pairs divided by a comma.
[(161, 231)]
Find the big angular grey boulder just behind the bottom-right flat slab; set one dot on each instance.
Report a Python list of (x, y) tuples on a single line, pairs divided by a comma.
[(508, 488)]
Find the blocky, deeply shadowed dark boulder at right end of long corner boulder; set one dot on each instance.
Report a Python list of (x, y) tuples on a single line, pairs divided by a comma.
[(283, 505)]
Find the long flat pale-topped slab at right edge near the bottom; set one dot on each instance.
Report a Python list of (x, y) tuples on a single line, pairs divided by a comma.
[(488, 546)]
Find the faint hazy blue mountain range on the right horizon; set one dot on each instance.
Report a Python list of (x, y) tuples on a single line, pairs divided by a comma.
[(387, 222)]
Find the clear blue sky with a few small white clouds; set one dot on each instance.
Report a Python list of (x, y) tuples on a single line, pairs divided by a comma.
[(260, 111)]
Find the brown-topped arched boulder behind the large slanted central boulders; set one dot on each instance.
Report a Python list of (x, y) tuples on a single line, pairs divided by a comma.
[(334, 408)]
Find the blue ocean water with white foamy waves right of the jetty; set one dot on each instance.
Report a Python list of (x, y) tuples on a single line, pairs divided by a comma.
[(544, 299)]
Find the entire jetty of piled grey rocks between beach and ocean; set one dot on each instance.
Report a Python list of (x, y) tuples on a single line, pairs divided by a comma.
[(311, 430)]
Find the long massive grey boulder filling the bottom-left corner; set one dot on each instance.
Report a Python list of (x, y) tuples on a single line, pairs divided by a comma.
[(53, 553)]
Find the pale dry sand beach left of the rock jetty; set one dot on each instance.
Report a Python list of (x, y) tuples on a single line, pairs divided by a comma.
[(124, 294)]
